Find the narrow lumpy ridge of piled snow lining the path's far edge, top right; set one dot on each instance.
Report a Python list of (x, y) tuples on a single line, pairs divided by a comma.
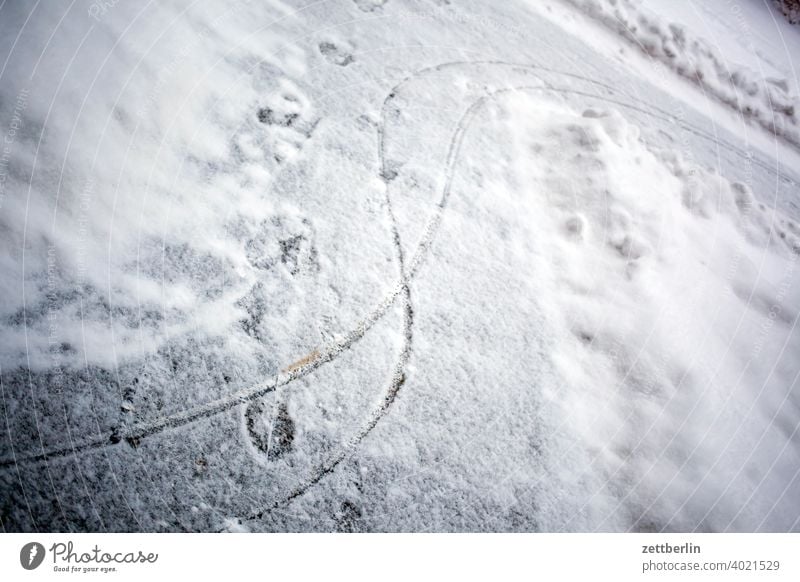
[(766, 101)]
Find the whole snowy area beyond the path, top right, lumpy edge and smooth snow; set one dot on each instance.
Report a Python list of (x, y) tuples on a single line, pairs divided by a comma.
[(714, 66)]
